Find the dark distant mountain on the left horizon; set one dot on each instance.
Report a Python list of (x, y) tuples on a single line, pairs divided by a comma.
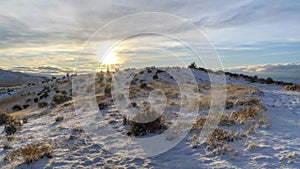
[(10, 78)]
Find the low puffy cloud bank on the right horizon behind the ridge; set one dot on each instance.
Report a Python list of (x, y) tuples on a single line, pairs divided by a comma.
[(285, 72)]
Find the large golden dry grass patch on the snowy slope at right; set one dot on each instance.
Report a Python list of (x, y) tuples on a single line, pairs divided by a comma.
[(245, 109)]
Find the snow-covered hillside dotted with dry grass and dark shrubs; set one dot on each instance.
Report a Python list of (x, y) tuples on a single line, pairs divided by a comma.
[(259, 127)]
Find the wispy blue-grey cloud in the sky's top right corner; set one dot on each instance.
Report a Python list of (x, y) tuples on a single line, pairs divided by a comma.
[(249, 12)]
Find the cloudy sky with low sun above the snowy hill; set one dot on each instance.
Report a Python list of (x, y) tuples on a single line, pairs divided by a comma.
[(48, 36)]
